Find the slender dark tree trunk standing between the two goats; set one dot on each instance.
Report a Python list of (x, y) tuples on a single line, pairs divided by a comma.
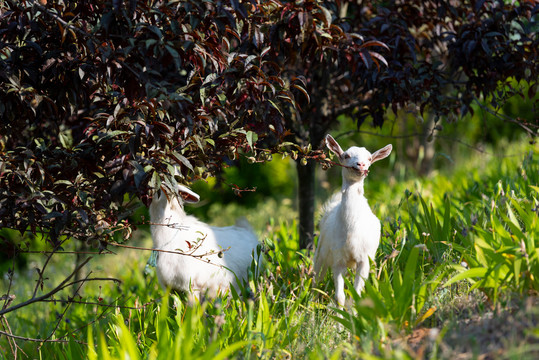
[(306, 199)]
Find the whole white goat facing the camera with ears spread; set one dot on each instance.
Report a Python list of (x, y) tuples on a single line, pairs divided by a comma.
[(349, 231)]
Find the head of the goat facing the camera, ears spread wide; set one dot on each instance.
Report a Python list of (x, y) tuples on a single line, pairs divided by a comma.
[(356, 160)]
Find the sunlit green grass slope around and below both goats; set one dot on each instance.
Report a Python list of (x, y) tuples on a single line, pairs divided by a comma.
[(456, 275)]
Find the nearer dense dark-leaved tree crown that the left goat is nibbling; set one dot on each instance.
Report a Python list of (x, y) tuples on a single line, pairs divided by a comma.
[(104, 103)]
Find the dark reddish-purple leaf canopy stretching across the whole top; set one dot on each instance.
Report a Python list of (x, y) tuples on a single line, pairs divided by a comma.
[(104, 103)]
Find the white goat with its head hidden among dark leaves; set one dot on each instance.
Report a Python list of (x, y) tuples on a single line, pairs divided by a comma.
[(212, 258)]
